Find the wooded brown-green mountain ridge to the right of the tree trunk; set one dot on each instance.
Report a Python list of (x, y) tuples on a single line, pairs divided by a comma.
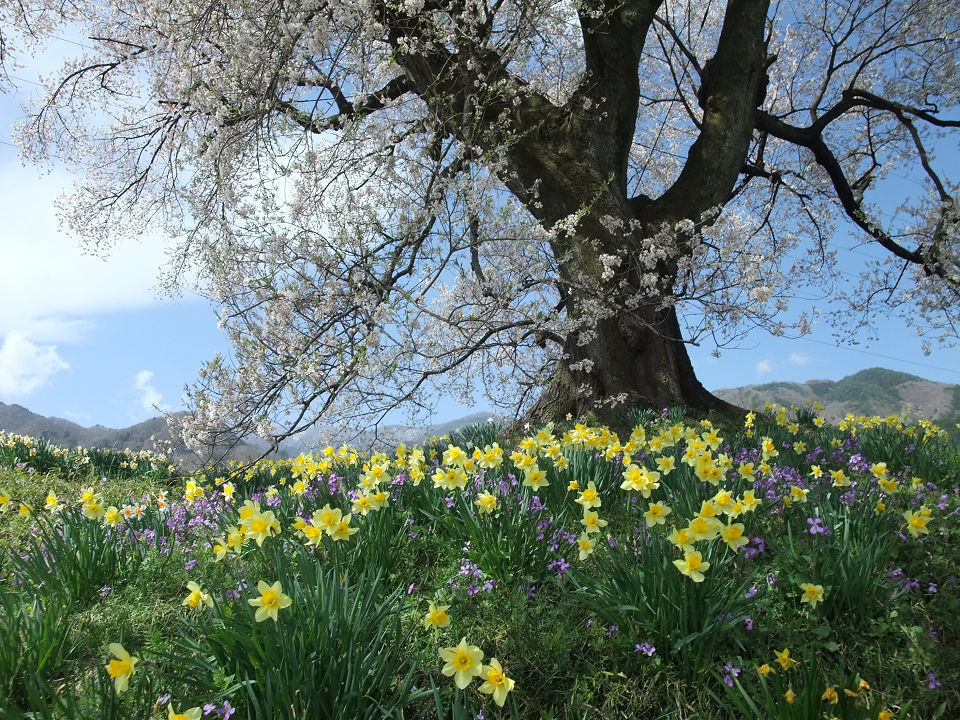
[(875, 391)]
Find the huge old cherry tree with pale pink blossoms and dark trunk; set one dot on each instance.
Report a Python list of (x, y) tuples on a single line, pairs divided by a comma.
[(544, 198)]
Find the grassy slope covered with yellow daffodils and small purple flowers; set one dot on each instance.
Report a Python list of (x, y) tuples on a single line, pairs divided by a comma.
[(666, 568)]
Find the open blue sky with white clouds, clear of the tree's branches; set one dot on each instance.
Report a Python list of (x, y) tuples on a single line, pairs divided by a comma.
[(89, 340)]
